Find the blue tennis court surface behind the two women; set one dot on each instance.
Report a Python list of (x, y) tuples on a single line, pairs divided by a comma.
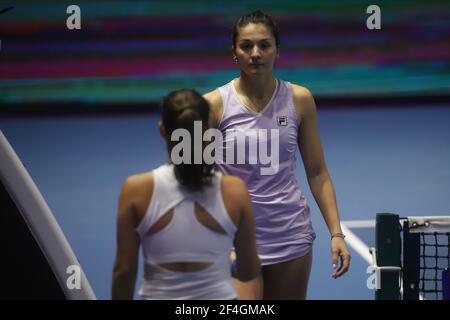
[(385, 159)]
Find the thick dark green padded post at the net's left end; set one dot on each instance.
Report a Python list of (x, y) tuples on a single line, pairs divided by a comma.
[(388, 244)]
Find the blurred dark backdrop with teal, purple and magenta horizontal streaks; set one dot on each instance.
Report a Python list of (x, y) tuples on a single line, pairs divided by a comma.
[(136, 51)]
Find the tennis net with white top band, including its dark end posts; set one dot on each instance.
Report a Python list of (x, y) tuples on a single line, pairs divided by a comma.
[(413, 257)]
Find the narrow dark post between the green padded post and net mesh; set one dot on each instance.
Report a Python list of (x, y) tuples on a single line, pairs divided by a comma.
[(411, 263)]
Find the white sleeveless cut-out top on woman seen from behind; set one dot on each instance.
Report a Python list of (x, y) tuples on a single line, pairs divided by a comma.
[(184, 239)]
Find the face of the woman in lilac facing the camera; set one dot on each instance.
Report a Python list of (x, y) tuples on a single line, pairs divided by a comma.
[(256, 49)]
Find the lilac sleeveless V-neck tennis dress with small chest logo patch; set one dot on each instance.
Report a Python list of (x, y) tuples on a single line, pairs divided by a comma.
[(283, 225)]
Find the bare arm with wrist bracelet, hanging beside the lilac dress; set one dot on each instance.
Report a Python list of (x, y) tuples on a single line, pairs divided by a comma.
[(317, 173)]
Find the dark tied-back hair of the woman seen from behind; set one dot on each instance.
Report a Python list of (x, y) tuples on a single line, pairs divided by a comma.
[(179, 111)]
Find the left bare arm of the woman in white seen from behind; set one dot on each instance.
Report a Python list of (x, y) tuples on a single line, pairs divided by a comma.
[(126, 264)]
